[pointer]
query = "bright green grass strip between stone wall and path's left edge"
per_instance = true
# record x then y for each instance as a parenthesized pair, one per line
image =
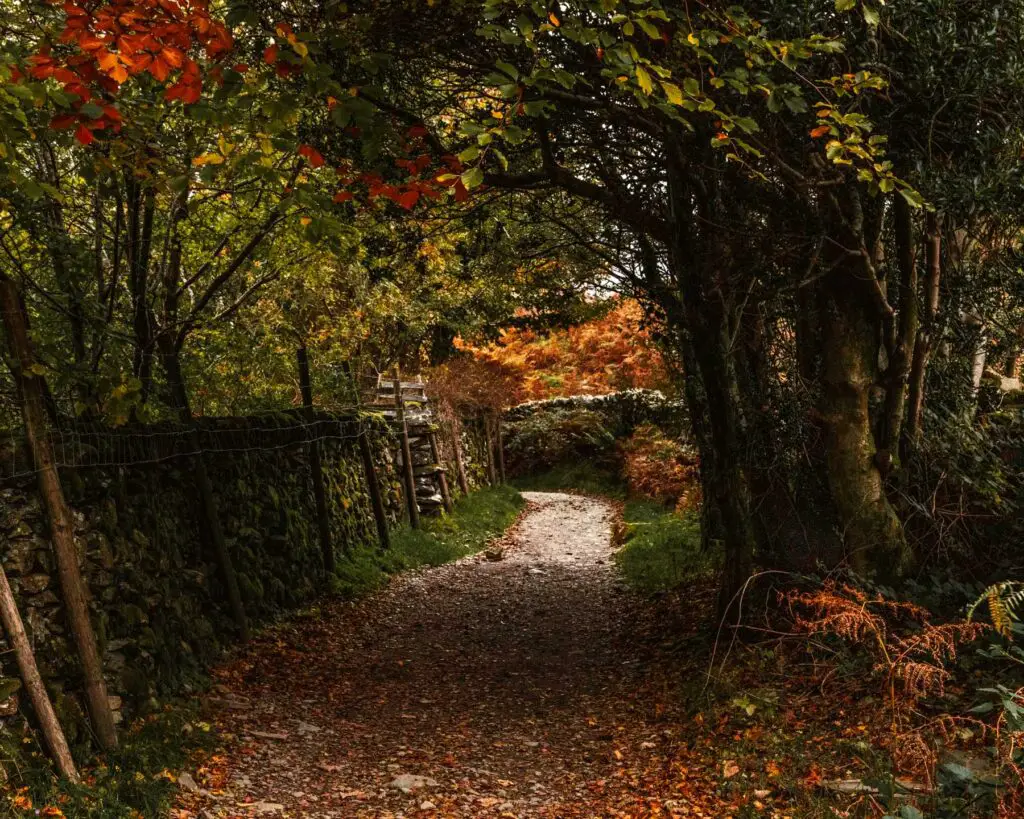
(478, 519)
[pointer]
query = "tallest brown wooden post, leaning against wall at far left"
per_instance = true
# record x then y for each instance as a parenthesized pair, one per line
(31, 387)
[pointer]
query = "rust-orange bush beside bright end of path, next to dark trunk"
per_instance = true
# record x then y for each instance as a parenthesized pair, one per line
(658, 467)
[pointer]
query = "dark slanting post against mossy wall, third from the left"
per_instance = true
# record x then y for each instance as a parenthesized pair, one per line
(210, 530)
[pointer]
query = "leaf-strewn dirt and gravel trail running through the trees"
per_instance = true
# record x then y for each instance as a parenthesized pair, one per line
(510, 687)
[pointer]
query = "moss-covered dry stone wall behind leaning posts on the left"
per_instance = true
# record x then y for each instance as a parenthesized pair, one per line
(158, 598)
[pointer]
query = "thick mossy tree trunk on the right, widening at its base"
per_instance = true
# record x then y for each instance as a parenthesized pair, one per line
(872, 533)
